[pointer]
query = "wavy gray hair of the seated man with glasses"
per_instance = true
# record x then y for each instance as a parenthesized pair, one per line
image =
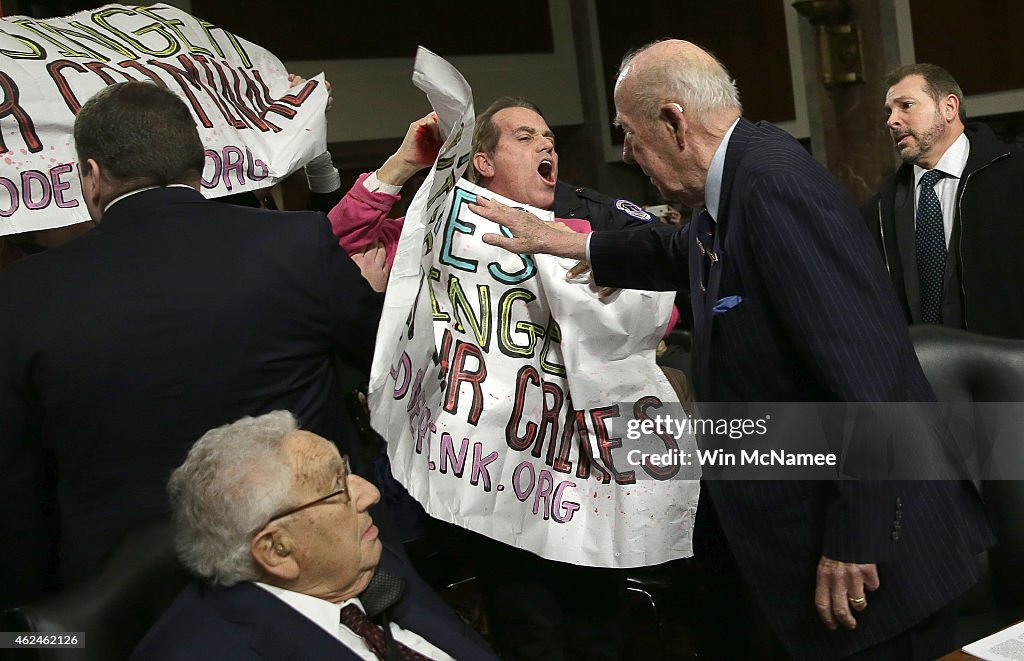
(235, 479)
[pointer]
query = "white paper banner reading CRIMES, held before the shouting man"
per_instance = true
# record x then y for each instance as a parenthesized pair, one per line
(507, 393)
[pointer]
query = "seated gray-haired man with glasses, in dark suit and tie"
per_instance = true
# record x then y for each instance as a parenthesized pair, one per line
(270, 517)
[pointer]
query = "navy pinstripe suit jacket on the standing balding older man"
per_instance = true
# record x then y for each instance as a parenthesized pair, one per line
(819, 322)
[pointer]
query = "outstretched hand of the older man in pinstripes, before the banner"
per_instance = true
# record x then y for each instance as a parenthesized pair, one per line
(530, 234)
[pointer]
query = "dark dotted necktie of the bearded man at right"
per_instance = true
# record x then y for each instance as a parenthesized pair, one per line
(931, 249)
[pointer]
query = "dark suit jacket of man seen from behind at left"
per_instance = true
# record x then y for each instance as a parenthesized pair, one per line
(121, 348)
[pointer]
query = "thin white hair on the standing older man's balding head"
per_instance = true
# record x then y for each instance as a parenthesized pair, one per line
(702, 85)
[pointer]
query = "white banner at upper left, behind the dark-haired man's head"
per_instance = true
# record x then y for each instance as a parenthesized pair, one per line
(255, 130)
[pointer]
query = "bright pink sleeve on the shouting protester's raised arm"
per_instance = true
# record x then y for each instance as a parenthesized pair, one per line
(361, 219)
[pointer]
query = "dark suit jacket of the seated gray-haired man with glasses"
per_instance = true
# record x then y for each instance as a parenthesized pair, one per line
(245, 622)
